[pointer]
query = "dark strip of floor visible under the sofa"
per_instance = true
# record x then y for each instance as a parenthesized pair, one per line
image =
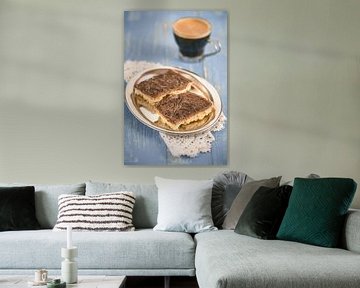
(158, 282)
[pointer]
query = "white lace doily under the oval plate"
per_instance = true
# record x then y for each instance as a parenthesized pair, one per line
(178, 146)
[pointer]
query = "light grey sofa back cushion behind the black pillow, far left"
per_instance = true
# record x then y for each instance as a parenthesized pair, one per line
(46, 200)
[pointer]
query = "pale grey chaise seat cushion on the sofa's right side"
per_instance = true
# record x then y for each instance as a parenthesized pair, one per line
(226, 259)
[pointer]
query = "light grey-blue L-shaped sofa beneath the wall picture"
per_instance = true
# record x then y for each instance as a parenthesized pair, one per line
(217, 257)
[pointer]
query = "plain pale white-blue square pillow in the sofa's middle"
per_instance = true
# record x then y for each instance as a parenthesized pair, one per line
(184, 205)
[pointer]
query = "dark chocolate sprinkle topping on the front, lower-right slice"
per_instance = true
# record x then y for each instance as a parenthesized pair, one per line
(176, 108)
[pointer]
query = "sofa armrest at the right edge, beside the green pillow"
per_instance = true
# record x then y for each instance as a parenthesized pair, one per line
(351, 234)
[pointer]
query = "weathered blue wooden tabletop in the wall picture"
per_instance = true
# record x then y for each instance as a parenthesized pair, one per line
(148, 37)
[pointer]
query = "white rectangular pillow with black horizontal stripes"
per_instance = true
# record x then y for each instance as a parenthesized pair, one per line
(106, 212)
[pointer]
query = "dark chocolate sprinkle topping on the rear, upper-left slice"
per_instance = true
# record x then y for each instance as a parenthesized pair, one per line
(162, 84)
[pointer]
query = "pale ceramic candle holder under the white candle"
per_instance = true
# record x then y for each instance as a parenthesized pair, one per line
(68, 265)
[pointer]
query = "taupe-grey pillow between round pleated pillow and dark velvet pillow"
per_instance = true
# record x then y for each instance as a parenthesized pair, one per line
(243, 198)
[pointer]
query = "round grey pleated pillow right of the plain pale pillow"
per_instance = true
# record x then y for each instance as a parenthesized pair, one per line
(226, 186)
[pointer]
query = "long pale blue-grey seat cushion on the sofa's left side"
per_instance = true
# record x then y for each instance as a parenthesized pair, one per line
(138, 250)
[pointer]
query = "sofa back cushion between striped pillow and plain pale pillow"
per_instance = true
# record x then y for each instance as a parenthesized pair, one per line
(146, 203)
